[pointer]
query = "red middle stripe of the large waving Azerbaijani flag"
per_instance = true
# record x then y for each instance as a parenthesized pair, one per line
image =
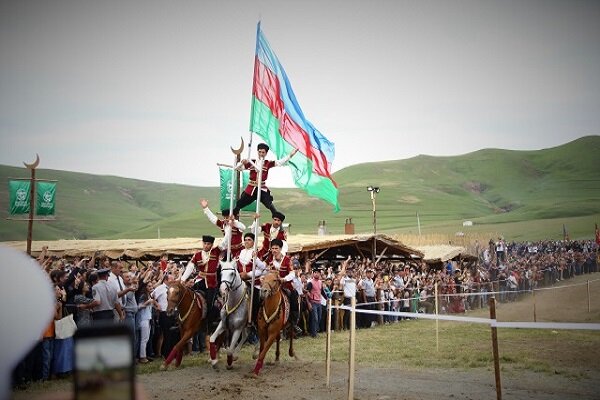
(266, 88)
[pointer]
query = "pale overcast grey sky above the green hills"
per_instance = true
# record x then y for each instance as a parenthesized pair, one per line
(159, 90)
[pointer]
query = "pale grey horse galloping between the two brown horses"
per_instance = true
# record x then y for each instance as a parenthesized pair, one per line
(234, 314)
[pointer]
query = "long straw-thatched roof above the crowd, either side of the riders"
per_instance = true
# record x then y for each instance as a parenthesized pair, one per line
(331, 245)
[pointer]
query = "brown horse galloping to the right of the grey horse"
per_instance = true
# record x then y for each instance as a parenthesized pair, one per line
(272, 318)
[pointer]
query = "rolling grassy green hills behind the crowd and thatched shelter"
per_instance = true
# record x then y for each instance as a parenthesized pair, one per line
(520, 194)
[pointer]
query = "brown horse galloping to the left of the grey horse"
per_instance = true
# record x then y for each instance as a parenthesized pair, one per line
(192, 311)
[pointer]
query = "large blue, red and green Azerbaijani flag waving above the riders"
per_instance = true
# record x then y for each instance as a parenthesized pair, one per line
(277, 118)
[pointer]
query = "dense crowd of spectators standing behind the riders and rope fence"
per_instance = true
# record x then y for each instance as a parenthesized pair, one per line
(407, 286)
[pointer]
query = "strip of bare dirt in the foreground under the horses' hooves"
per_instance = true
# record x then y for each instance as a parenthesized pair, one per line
(297, 380)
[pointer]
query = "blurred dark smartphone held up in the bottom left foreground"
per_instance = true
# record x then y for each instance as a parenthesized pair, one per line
(104, 363)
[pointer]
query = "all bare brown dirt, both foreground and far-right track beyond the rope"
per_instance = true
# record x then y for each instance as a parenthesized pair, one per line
(304, 380)
